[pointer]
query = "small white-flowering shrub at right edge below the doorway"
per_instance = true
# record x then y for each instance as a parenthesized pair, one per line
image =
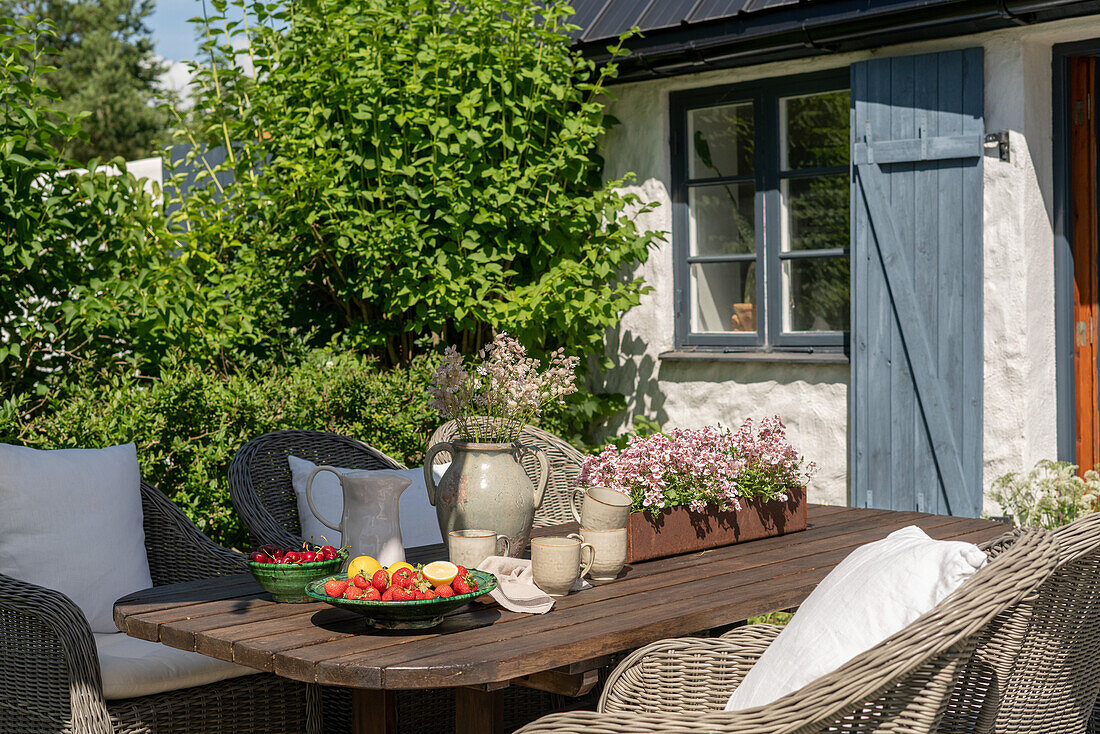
(1050, 496)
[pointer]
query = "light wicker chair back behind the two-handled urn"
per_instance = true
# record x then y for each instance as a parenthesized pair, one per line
(565, 467)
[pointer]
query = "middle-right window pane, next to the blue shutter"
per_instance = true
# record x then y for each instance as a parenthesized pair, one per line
(816, 213)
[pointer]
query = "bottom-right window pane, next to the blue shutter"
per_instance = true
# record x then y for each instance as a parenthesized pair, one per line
(816, 294)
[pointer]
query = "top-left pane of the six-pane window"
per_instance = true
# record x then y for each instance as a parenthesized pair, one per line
(721, 140)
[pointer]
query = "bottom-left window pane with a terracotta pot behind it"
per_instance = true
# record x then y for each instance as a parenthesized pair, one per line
(723, 297)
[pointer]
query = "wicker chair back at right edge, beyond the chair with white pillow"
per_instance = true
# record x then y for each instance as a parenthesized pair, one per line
(1039, 667)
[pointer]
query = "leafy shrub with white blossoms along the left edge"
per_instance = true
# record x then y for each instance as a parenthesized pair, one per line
(90, 278)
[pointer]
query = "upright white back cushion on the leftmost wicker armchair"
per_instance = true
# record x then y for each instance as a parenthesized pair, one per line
(71, 520)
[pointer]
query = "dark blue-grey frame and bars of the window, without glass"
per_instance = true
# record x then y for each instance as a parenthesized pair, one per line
(765, 95)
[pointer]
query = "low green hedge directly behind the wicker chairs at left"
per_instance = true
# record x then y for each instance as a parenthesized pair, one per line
(189, 424)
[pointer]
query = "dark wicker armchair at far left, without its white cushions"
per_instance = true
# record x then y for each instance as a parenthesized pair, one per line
(50, 678)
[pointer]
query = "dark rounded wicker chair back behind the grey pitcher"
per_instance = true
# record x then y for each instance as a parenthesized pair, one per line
(260, 478)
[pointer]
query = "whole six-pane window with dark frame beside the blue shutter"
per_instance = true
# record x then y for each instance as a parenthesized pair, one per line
(762, 214)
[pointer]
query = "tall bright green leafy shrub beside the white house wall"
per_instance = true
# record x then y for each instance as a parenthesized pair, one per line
(426, 176)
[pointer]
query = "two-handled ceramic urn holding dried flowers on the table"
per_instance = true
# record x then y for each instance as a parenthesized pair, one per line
(487, 488)
